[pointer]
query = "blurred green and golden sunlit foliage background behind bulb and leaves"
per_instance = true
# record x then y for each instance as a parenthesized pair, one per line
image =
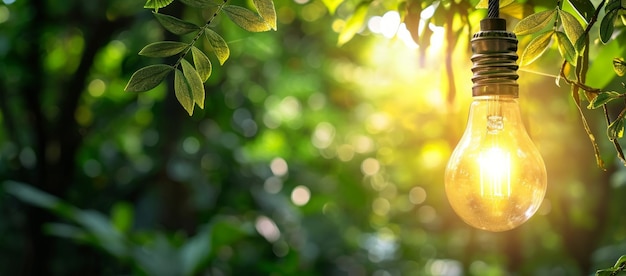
(307, 159)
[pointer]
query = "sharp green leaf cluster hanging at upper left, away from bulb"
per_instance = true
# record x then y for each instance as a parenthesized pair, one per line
(189, 77)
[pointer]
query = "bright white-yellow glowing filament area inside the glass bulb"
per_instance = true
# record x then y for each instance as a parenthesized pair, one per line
(495, 173)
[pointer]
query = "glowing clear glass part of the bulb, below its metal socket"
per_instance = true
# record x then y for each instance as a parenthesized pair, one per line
(496, 178)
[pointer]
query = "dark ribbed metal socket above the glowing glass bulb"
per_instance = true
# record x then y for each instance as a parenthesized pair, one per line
(494, 56)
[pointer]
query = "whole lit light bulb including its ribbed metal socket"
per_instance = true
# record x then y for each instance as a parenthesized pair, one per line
(495, 179)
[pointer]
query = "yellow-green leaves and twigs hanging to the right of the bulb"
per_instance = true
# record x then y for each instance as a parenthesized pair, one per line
(570, 33)
